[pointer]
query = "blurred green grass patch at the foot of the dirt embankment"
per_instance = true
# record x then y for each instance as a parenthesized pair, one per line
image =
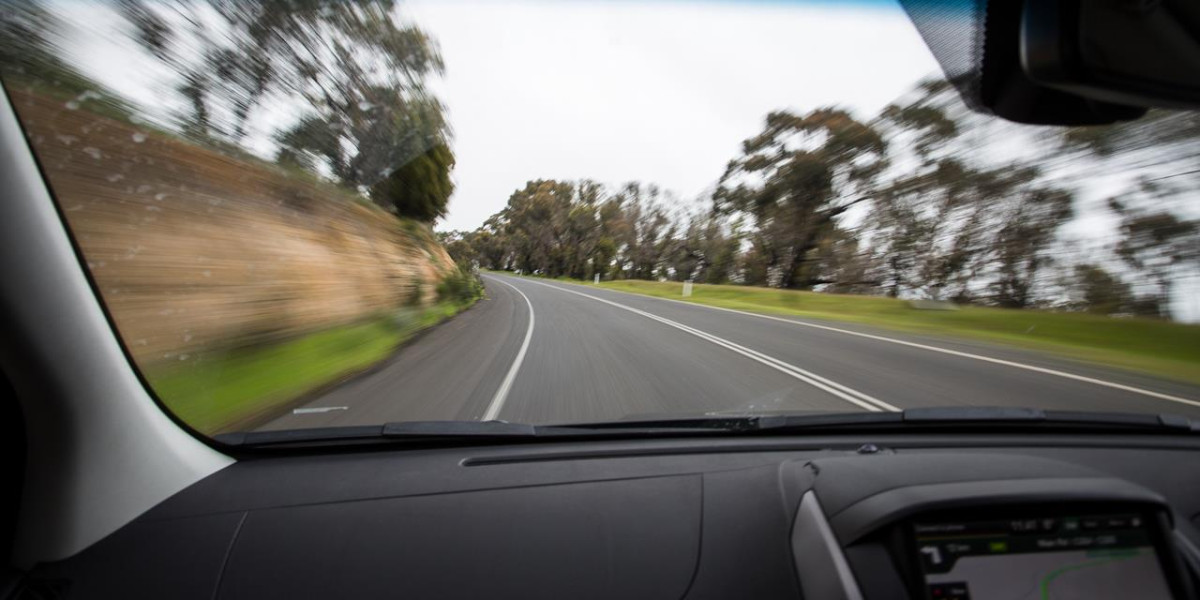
(223, 392)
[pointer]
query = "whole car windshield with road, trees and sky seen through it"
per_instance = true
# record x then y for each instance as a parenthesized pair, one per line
(335, 213)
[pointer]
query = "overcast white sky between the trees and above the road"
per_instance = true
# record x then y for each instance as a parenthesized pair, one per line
(659, 92)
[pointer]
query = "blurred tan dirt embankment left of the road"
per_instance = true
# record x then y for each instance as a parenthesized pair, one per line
(195, 250)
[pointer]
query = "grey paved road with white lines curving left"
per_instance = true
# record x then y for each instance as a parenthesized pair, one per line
(549, 352)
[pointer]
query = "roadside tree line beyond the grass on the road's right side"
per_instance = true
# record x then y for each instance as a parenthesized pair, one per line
(926, 200)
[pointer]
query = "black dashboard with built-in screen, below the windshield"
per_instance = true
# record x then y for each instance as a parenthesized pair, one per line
(813, 518)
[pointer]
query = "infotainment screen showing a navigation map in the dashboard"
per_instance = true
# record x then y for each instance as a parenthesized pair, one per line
(1099, 557)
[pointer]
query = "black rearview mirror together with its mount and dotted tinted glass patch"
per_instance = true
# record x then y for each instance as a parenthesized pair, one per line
(1066, 62)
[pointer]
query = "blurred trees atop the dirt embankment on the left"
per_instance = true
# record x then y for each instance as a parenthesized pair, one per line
(349, 68)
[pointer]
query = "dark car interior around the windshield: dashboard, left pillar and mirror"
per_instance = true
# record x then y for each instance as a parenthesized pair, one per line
(107, 495)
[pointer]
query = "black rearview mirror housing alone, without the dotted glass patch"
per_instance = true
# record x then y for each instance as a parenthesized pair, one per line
(1143, 53)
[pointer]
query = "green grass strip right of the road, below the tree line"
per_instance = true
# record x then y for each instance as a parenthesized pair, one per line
(1148, 346)
